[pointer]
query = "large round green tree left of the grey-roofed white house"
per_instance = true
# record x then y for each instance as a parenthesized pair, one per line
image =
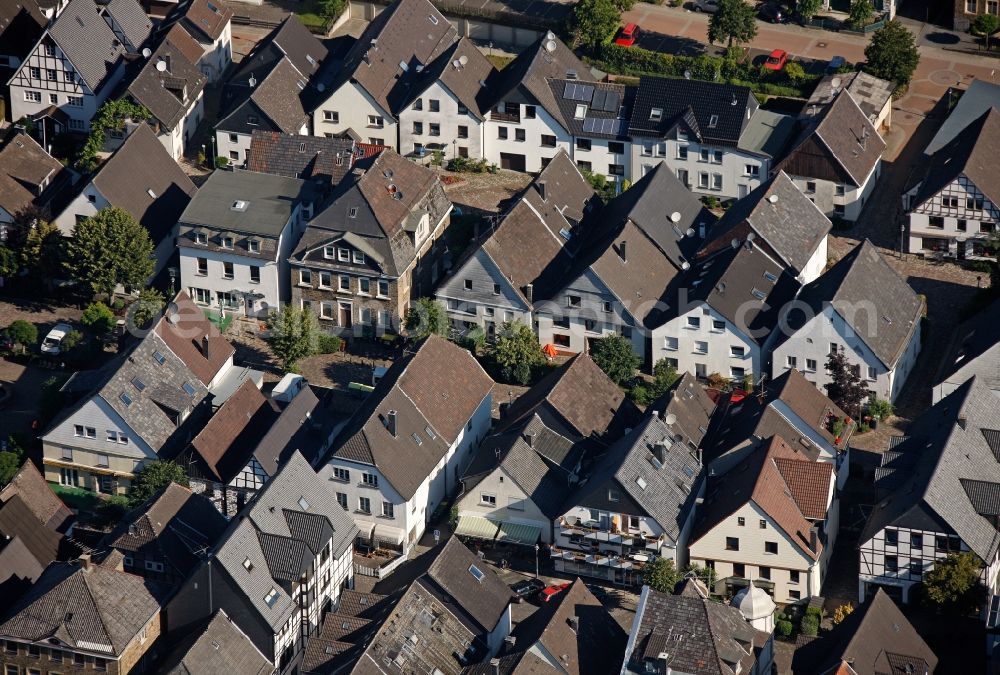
(108, 249)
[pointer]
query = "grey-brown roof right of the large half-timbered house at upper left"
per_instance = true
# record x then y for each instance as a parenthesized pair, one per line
(169, 94)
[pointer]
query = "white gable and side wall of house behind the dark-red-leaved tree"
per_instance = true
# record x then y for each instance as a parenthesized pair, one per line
(809, 347)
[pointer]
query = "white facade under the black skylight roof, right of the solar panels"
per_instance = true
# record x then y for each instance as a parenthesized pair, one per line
(724, 172)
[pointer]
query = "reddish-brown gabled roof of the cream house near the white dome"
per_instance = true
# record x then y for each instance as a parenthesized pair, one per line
(784, 491)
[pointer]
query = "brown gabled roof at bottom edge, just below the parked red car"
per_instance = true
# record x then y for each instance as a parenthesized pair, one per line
(593, 646)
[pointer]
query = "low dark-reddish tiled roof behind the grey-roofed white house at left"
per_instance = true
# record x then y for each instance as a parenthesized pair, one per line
(295, 156)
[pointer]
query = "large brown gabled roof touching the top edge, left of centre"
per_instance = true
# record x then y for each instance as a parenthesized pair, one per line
(409, 32)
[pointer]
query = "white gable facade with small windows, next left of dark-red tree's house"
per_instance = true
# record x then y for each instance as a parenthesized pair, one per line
(702, 342)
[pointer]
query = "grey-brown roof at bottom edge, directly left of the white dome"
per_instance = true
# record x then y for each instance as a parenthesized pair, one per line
(702, 636)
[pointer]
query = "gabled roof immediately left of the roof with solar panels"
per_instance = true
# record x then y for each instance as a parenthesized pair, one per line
(547, 58)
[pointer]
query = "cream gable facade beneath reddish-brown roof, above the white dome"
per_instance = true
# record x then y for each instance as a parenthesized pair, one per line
(795, 574)
